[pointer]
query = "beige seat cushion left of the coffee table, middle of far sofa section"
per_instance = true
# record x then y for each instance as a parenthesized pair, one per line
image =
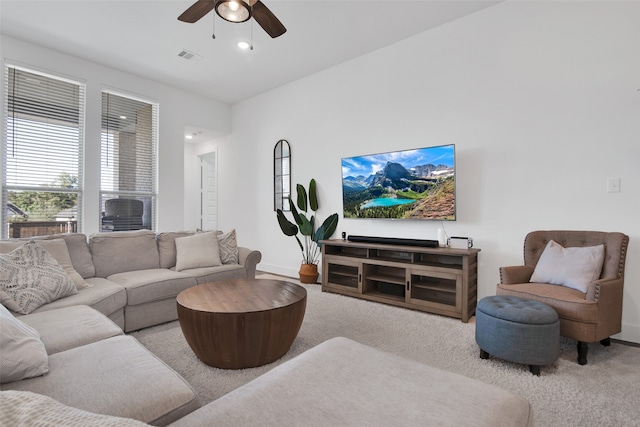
(143, 286)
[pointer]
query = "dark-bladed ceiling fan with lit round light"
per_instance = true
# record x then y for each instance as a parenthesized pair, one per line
(236, 11)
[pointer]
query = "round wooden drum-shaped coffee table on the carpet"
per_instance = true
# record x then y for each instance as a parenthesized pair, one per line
(241, 323)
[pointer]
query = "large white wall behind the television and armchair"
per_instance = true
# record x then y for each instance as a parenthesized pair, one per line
(541, 100)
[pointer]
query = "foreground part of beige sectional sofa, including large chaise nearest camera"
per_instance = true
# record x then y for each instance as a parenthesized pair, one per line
(98, 376)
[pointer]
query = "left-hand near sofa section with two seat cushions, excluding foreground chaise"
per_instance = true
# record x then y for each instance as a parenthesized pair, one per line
(78, 358)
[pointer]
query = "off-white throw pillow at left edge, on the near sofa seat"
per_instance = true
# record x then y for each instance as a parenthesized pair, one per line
(23, 354)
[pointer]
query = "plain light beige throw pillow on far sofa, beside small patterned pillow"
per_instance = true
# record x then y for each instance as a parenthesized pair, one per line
(199, 250)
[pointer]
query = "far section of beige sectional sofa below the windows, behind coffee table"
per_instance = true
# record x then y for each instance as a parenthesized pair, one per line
(133, 277)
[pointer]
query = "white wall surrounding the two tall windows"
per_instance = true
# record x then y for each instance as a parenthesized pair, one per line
(176, 109)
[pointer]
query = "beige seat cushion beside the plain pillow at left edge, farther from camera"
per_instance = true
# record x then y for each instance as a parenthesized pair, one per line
(70, 327)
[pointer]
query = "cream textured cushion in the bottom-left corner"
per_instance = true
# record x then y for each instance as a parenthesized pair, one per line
(24, 408)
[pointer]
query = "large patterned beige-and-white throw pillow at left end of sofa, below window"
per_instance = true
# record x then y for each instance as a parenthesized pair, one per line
(31, 277)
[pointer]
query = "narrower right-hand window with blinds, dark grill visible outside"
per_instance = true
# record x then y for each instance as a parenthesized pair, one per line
(128, 163)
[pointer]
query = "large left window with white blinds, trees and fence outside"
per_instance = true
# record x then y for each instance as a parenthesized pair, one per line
(42, 154)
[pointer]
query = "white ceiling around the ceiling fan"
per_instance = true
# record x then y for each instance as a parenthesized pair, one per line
(144, 37)
